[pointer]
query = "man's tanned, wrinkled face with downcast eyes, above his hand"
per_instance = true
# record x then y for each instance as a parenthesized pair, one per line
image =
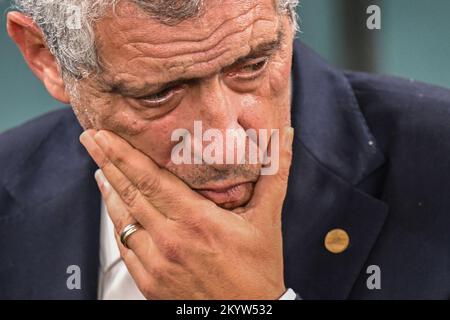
(228, 68)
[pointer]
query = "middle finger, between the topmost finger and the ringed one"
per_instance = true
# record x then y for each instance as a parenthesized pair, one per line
(137, 206)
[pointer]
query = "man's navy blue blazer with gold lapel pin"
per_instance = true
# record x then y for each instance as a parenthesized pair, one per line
(371, 156)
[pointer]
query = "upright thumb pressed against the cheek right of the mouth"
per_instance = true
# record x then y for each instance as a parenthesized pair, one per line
(270, 190)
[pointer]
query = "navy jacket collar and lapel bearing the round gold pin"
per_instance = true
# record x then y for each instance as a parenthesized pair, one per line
(334, 151)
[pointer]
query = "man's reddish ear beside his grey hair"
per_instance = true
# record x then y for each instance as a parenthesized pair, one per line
(29, 39)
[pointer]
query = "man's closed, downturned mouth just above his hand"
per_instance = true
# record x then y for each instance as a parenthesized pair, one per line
(228, 196)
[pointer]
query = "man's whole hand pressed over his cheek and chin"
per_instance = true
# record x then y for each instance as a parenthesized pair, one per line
(187, 246)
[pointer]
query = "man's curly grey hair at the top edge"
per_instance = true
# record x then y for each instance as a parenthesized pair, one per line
(74, 46)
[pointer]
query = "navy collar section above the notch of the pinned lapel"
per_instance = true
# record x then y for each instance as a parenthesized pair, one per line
(328, 119)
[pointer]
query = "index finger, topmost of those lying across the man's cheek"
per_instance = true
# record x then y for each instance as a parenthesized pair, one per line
(167, 193)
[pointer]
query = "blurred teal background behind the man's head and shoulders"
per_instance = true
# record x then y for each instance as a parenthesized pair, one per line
(414, 42)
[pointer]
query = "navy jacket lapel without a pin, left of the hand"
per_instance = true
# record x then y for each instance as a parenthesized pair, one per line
(57, 220)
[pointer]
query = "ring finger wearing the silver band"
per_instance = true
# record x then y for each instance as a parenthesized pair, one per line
(140, 241)
